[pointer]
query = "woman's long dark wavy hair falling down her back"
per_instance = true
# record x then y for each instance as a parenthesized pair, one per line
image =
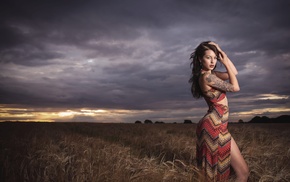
(196, 66)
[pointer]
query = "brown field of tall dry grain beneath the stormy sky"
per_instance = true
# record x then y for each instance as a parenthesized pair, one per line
(130, 152)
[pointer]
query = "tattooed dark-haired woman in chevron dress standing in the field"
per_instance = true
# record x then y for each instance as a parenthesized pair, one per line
(216, 150)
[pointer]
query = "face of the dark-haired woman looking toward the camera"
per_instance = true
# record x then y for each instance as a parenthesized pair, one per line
(209, 60)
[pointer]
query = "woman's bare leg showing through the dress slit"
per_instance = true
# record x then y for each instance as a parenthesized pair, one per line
(238, 162)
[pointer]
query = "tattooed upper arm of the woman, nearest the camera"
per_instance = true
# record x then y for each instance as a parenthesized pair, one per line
(218, 83)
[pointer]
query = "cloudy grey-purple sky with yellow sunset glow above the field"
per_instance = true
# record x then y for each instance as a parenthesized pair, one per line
(122, 61)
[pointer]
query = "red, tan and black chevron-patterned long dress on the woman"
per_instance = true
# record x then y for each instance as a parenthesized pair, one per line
(214, 140)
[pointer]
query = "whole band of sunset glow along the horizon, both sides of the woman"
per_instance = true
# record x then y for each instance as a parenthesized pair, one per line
(115, 115)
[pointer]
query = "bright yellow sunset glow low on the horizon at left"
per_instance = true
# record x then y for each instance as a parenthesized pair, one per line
(81, 115)
